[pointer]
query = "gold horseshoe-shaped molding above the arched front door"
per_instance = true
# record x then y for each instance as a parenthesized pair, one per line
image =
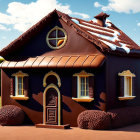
(51, 73)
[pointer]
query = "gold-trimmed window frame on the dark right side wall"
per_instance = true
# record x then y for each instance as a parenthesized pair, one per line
(127, 74)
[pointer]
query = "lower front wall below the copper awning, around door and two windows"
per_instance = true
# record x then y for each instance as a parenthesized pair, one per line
(70, 109)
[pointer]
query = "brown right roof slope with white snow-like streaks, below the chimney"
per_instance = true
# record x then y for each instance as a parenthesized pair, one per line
(109, 35)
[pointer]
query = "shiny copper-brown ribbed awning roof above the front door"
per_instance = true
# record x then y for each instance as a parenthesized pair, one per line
(56, 61)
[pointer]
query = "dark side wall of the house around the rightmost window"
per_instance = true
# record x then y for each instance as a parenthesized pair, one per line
(115, 65)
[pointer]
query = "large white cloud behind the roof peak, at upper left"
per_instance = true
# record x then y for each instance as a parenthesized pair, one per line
(22, 16)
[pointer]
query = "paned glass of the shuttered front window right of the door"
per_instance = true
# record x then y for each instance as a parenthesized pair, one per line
(84, 87)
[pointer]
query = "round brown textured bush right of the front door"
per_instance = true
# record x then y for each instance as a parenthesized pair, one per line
(94, 119)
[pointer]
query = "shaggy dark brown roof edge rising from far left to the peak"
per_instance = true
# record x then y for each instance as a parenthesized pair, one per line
(34, 30)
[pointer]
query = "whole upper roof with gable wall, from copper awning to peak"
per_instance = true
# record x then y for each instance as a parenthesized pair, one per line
(57, 18)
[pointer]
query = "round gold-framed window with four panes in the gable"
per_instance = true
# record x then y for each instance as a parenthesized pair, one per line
(56, 38)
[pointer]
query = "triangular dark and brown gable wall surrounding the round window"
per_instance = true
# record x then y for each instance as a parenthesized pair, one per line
(36, 44)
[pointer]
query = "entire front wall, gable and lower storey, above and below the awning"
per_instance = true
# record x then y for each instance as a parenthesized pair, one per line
(37, 46)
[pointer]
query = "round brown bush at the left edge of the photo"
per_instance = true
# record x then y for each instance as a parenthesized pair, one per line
(11, 115)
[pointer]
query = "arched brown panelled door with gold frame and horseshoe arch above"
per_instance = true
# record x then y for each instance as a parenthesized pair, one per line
(51, 99)
